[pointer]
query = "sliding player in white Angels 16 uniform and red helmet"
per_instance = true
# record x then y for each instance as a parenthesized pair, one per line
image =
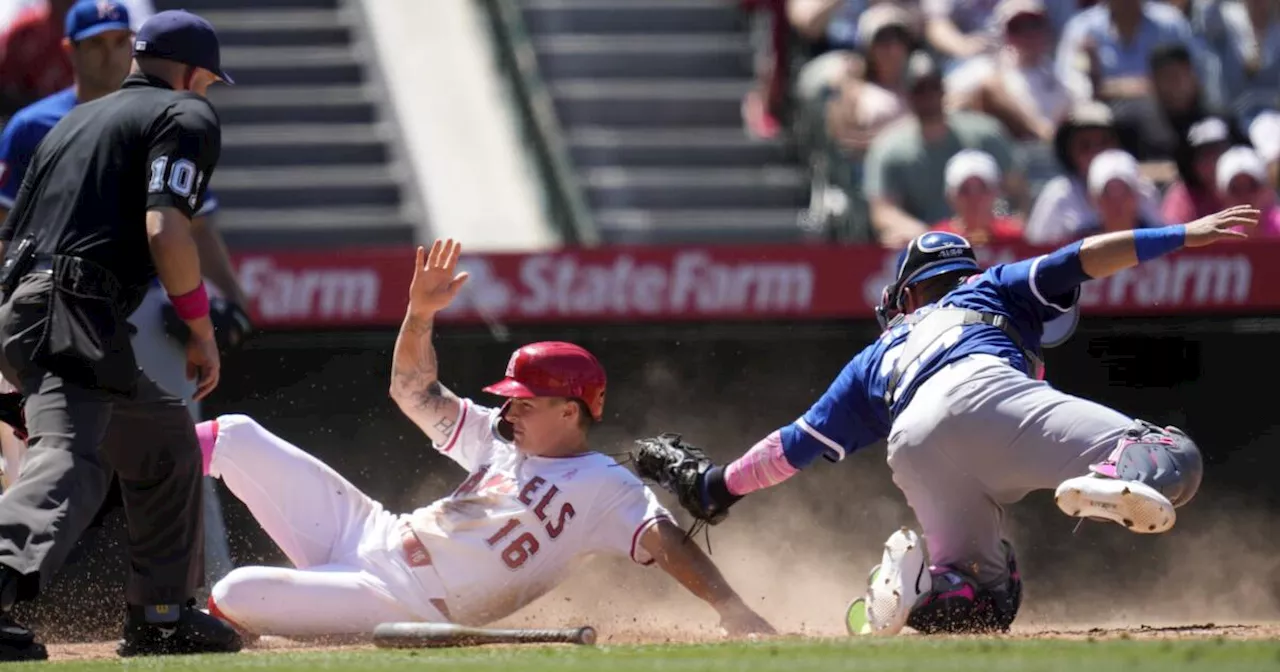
(536, 502)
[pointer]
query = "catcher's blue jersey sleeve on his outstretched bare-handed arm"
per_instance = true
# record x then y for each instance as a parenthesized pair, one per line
(1046, 286)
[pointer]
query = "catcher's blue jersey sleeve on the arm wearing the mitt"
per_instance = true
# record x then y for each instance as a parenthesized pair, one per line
(845, 419)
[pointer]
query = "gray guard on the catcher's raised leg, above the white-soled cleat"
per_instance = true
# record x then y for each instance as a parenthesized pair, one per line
(1165, 459)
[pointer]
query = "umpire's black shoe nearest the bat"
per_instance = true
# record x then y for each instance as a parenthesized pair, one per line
(194, 632)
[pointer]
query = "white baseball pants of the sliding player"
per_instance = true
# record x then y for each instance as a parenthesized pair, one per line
(350, 577)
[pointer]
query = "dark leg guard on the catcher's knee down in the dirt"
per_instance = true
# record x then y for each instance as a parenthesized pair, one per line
(957, 605)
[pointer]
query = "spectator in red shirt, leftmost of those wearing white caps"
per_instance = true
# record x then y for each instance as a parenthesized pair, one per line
(973, 185)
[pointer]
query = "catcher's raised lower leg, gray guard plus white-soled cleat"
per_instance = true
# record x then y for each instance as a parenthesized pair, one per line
(1151, 472)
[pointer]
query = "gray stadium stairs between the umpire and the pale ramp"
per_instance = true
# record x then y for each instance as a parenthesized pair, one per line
(307, 153)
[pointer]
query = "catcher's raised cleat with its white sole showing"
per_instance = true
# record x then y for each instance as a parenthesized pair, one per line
(1133, 505)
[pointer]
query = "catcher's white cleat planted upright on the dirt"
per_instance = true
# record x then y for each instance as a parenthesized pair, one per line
(894, 589)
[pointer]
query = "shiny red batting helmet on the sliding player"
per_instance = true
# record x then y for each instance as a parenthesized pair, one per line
(555, 369)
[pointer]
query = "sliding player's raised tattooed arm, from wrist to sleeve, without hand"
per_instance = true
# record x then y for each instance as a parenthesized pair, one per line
(415, 387)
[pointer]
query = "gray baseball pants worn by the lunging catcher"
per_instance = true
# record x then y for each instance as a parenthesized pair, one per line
(979, 436)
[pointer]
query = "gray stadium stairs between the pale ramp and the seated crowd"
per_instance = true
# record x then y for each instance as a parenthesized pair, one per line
(648, 94)
